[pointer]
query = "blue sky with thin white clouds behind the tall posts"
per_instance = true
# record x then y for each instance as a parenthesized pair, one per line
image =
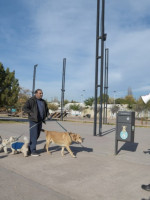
(44, 32)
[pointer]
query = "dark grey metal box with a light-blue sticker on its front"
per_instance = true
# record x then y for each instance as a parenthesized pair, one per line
(125, 126)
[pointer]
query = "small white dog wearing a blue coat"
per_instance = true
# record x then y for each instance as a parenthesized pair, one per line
(20, 147)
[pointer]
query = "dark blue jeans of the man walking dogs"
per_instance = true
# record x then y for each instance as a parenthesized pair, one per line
(35, 128)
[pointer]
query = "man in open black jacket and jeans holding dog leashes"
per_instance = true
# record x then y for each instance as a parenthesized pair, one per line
(37, 111)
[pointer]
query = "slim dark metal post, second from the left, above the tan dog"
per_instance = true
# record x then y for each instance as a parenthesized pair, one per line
(63, 88)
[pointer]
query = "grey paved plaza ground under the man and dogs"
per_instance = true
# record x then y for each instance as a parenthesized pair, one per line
(96, 173)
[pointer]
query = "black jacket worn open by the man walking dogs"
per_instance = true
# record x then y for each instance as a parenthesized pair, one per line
(31, 108)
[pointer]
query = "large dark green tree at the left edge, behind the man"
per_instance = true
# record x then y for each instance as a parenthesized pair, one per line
(9, 87)
